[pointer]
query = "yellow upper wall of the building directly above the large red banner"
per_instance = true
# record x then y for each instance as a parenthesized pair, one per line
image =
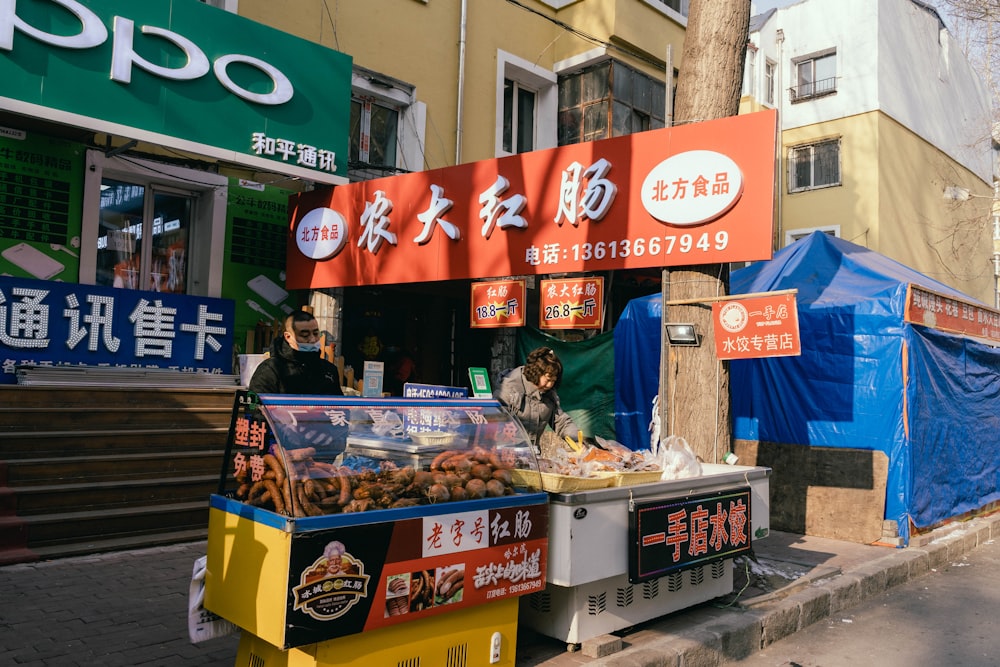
(418, 43)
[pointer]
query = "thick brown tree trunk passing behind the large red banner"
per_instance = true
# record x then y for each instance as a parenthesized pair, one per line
(695, 400)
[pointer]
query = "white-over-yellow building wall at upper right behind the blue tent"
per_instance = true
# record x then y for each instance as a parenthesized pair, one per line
(913, 119)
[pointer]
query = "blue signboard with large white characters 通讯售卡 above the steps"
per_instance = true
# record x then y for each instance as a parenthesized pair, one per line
(51, 323)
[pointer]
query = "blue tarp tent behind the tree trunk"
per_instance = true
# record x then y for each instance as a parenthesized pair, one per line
(866, 379)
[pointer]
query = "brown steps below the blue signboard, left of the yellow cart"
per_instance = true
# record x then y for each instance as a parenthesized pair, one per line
(93, 469)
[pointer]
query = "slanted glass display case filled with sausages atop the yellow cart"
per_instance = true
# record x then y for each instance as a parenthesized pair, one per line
(304, 456)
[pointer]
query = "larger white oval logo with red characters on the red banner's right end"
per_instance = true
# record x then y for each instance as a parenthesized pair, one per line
(692, 188)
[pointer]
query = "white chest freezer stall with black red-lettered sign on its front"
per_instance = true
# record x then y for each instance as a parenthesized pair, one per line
(631, 552)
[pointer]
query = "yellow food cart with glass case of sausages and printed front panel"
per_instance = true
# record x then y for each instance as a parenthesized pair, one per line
(355, 531)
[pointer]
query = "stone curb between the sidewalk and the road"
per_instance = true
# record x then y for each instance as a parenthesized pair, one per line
(718, 637)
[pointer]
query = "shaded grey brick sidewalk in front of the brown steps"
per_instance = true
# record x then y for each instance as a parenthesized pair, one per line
(117, 609)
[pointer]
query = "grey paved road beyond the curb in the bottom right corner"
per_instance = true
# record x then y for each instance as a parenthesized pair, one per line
(947, 617)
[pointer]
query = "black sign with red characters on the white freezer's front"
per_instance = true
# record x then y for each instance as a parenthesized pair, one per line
(672, 534)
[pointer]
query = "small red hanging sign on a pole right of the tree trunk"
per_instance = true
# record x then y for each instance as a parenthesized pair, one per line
(765, 326)
